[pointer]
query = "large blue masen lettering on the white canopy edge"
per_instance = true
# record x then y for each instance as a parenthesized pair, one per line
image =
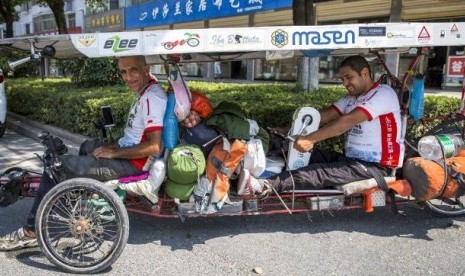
(323, 38)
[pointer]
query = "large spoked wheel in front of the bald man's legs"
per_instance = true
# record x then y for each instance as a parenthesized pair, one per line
(82, 226)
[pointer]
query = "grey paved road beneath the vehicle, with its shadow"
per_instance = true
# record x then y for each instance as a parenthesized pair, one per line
(342, 243)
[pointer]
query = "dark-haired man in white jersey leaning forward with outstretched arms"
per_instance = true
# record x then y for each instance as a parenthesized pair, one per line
(370, 115)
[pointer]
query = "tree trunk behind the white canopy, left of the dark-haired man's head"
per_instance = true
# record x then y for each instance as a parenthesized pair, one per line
(307, 78)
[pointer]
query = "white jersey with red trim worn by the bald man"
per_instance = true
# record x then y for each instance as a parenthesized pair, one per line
(146, 115)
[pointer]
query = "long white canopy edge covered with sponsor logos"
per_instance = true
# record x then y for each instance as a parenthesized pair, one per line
(220, 40)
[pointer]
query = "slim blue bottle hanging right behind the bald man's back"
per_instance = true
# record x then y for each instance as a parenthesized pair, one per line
(170, 124)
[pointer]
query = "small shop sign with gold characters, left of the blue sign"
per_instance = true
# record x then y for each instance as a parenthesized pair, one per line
(110, 21)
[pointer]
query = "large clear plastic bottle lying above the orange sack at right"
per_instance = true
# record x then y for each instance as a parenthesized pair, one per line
(432, 147)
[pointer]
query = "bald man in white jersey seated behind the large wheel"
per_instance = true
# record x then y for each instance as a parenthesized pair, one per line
(142, 138)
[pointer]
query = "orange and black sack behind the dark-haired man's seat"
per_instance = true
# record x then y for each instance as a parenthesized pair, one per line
(427, 177)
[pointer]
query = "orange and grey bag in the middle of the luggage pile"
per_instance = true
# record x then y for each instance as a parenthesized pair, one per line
(221, 164)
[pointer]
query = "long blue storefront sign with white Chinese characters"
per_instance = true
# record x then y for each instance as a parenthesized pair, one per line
(164, 12)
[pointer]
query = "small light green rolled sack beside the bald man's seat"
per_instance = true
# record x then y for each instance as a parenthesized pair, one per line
(186, 164)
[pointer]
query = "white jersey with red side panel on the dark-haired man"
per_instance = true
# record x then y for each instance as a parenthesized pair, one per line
(379, 138)
